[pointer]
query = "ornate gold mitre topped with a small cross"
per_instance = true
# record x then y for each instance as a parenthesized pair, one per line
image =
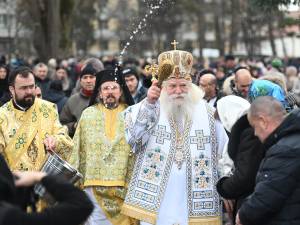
(174, 64)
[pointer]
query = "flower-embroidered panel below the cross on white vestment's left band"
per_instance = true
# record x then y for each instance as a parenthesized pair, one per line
(154, 165)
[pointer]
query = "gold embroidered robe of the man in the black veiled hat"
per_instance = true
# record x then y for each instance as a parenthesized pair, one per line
(104, 158)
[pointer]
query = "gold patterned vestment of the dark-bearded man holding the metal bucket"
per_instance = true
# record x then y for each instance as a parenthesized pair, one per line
(22, 134)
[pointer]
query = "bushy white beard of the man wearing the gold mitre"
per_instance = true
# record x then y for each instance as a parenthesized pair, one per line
(180, 106)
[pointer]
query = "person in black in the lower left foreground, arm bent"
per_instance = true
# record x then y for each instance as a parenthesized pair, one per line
(72, 207)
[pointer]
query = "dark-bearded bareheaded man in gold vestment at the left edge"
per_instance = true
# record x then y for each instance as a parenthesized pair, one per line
(30, 125)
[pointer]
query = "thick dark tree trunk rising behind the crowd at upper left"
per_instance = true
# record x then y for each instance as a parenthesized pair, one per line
(44, 19)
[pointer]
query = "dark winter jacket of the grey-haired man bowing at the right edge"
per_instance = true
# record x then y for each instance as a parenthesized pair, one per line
(276, 198)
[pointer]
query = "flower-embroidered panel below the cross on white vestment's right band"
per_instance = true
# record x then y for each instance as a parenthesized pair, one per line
(201, 166)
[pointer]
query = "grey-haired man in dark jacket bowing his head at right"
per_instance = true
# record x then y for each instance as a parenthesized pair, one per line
(276, 198)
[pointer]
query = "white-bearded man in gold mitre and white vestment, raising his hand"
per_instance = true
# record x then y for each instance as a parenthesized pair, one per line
(177, 143)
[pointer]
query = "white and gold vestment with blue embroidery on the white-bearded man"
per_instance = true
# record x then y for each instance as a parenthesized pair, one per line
(164, 190)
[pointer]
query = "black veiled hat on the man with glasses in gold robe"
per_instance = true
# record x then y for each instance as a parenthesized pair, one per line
(111, 75)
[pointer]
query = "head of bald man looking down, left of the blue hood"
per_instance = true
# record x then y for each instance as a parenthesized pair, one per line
(242, 80)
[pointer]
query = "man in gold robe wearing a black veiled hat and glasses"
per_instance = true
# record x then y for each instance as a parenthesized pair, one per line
(101, 152)
